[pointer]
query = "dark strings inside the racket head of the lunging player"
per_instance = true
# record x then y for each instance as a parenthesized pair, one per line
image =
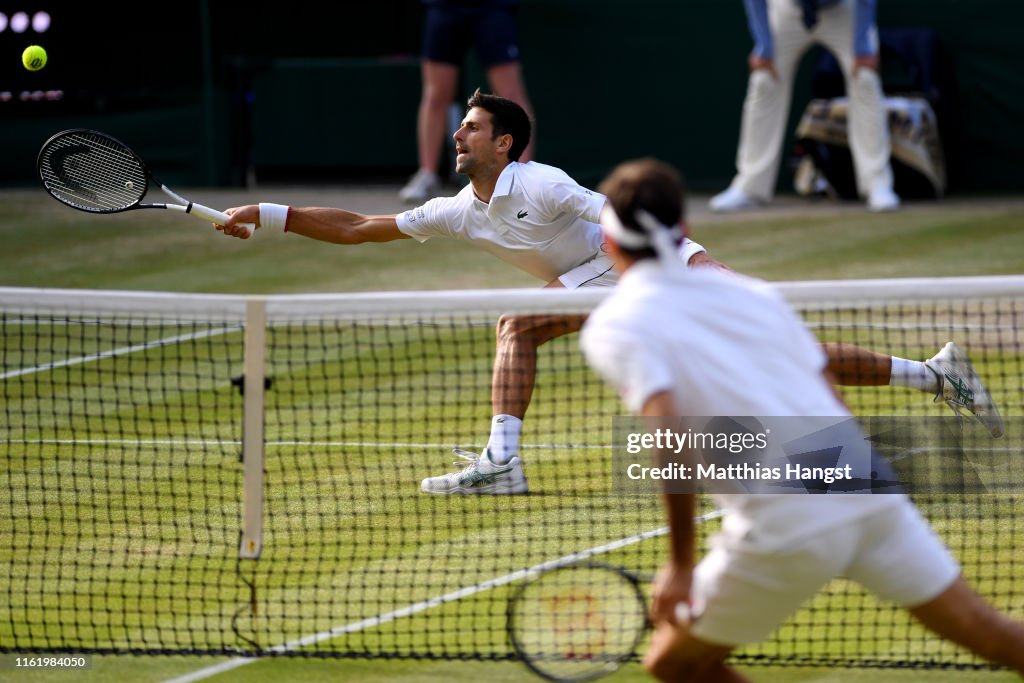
(93, 174)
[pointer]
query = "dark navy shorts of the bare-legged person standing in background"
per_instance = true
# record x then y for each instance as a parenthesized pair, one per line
(451, 29)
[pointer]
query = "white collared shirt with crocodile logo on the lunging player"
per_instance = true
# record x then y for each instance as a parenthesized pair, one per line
(539, 220)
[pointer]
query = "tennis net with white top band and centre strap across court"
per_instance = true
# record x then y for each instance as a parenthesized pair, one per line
(241, 476)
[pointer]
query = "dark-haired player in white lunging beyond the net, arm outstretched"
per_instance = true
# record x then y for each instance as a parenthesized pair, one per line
(540, 221)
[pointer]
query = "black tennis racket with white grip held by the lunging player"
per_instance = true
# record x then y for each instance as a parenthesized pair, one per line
(92, 172)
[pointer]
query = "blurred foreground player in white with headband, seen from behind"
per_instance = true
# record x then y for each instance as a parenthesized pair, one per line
(675, 343)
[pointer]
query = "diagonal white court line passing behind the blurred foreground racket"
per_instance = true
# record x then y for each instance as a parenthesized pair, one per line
(434, 603)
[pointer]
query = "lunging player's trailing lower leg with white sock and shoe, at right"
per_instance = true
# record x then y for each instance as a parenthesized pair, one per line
(949, 375)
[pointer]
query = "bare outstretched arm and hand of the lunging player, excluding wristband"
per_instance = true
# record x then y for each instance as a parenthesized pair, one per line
(327, 225)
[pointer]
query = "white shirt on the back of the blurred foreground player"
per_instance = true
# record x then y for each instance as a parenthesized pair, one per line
(723, 346)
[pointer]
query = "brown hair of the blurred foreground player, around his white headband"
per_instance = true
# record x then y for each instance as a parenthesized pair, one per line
(649, 185)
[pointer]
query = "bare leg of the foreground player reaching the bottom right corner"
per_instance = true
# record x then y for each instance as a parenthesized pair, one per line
(962, 616)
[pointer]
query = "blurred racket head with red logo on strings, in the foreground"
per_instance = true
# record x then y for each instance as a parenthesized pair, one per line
(579, 622)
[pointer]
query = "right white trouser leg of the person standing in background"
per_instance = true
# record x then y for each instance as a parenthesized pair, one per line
(869, 126)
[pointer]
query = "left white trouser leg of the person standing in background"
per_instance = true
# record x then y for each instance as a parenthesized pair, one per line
(766, 108)
